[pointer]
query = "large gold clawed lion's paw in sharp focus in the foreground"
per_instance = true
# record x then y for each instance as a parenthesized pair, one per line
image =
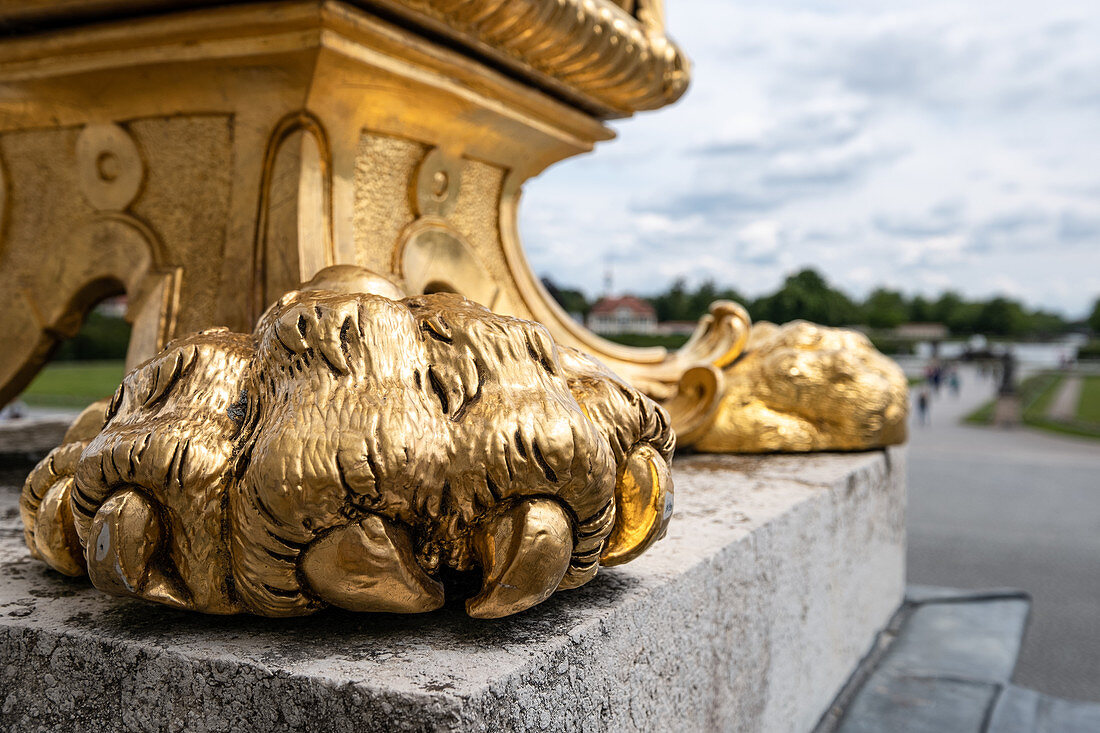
(350, 452)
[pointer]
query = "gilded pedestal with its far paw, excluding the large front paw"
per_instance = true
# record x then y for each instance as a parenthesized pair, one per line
(205, 160)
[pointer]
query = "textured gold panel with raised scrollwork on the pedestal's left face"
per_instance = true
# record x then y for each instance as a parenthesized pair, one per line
(87, 217)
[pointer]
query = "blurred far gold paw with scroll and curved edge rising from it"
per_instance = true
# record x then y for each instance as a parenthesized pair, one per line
(727, 390)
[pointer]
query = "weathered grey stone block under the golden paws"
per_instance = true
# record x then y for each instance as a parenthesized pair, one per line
(776, 576)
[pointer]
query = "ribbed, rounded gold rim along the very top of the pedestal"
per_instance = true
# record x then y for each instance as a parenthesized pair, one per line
(612, 58)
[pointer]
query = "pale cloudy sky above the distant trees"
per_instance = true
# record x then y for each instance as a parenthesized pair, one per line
(922, 146)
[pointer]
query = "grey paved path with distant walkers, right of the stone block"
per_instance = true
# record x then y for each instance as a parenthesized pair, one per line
(995, 508)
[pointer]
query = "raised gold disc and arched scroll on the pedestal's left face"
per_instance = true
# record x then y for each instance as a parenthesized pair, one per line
(108, 251)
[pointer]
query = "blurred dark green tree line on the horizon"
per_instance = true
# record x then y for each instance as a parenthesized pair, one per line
(809, 296)
